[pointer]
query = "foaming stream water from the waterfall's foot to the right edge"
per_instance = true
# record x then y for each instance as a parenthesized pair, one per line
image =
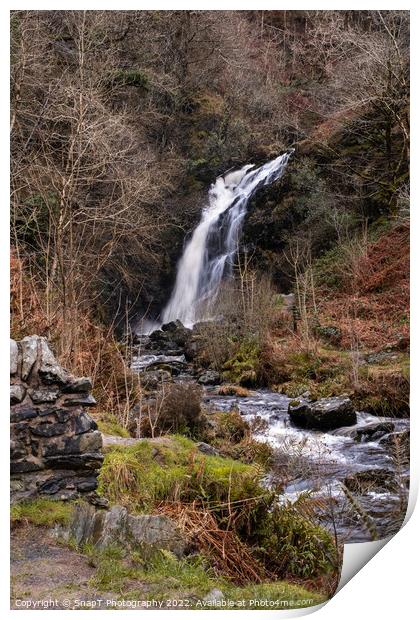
(314, 463)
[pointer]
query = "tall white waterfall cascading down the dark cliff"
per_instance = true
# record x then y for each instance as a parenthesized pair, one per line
(210, 252)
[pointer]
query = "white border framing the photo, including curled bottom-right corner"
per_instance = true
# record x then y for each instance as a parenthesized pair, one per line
(387, 585)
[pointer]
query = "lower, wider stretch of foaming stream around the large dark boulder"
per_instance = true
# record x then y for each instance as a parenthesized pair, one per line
(319, 462)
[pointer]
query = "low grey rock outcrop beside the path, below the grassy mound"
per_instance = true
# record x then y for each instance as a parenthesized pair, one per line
(116, 526)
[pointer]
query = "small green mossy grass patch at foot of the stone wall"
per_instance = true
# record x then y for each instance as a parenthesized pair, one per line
(42, 511)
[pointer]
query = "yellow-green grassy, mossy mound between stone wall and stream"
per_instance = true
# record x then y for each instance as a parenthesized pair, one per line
(173, 469)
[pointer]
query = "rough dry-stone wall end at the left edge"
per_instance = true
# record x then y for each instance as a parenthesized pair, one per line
(55, 445)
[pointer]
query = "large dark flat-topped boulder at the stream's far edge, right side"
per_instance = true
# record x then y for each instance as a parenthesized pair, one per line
(324, 415)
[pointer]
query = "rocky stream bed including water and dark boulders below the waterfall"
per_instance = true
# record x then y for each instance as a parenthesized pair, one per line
(350, 465)
